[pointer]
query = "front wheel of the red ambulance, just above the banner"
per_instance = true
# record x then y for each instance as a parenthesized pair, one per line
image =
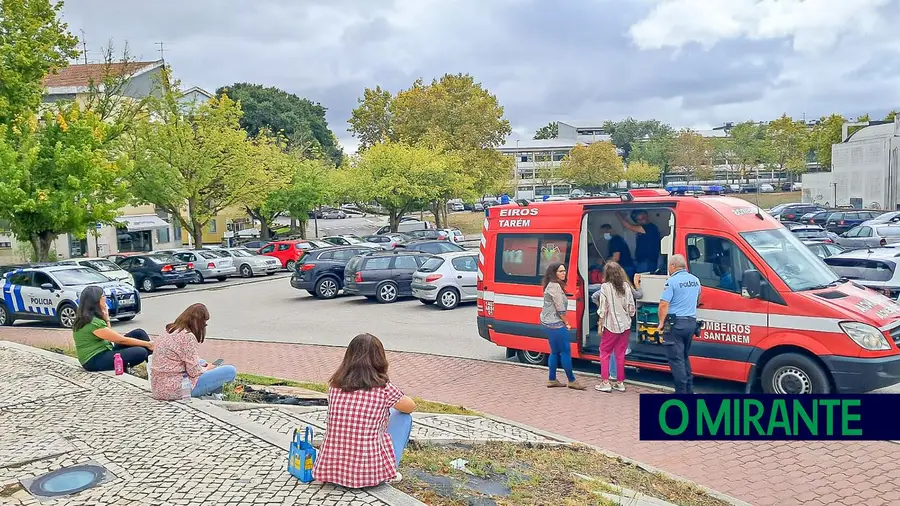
(793, 373)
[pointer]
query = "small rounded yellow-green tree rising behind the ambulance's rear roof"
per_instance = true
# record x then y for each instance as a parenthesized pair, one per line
(593, 166)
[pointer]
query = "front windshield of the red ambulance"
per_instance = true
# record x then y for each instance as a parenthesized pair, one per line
(795, 264)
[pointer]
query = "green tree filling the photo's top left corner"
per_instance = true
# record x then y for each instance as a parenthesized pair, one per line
(33, 43)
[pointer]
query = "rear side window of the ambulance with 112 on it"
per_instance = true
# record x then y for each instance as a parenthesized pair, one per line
(523, 258)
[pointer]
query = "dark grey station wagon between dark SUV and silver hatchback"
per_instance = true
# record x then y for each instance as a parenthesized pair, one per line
(384, 275)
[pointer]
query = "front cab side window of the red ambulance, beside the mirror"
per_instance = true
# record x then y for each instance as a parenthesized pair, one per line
(717, 262)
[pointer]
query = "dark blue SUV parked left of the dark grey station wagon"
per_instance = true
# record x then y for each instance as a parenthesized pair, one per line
(321, 271)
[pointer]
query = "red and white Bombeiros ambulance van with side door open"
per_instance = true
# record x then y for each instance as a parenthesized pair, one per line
(775, 317)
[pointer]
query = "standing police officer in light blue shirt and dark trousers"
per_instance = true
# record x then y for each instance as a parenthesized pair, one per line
(678, 321)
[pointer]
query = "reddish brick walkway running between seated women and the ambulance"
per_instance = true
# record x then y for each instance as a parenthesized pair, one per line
(762, 473)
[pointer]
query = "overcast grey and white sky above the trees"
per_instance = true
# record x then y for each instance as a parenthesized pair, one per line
(695, 63)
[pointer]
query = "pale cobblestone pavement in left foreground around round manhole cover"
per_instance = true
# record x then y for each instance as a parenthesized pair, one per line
(56, 415)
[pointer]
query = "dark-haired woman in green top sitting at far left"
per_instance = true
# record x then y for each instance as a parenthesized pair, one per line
(96, 343)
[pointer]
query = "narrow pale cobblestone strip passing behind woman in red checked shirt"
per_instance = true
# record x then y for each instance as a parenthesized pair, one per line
(427, 427)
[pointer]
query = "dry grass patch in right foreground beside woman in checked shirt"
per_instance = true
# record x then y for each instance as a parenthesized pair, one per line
(538, 475)
